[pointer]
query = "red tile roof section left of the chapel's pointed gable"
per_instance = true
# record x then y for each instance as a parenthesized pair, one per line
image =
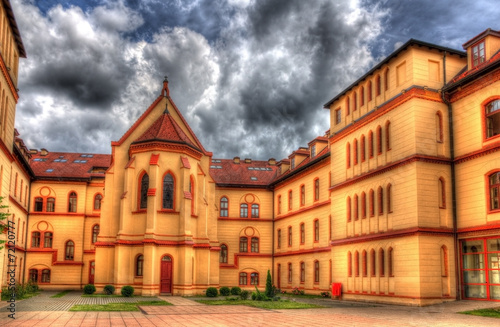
(65, 165)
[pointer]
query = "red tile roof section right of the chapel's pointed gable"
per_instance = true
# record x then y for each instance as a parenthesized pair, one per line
(257, 173)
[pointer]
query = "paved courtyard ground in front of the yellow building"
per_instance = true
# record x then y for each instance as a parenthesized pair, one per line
(186, 312)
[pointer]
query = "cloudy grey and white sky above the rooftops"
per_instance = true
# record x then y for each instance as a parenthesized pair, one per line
(250, 77)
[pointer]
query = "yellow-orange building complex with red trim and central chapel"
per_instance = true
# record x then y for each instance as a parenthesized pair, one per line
(398, 201)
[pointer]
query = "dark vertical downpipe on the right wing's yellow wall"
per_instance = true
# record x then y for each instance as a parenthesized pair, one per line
(453, 183)
